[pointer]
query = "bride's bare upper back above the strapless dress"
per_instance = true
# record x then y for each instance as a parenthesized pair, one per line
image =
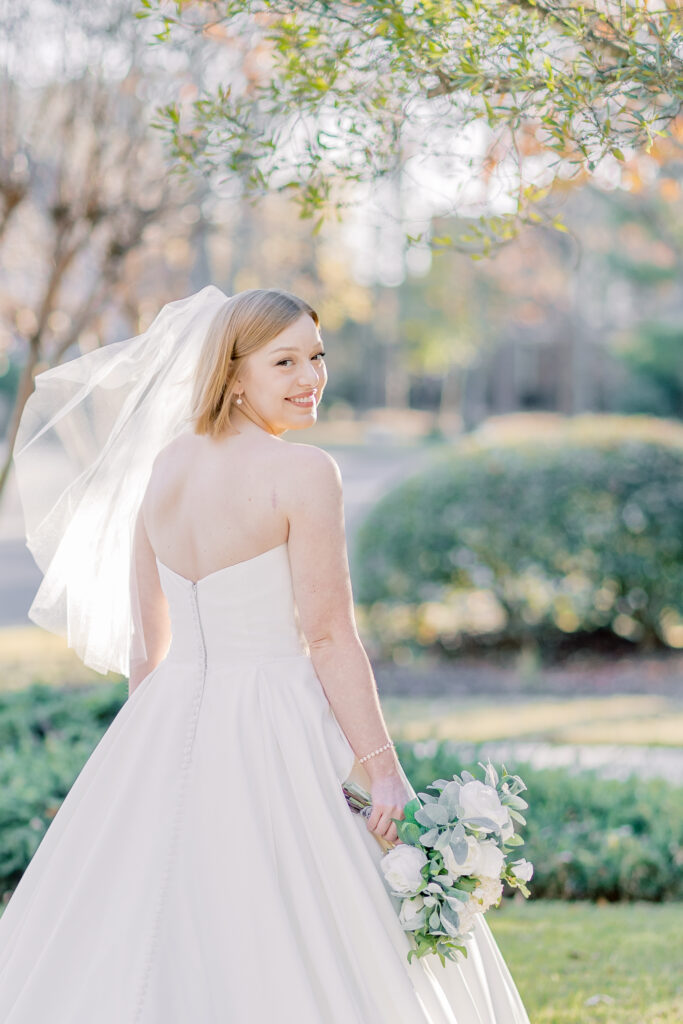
(211, 503)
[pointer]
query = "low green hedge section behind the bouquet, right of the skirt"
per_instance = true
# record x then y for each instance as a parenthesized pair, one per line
(588, 838)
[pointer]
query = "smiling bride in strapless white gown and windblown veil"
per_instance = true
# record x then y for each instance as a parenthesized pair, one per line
(205, 867)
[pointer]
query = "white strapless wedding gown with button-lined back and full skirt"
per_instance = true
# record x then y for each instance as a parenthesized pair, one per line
(205, 868)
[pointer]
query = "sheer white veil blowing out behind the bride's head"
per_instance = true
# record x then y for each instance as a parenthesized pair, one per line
(83, 455)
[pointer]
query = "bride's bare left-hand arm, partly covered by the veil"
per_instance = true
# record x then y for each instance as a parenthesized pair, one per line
(152, 623)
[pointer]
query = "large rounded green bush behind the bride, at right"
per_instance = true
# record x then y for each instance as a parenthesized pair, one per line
(576, 533)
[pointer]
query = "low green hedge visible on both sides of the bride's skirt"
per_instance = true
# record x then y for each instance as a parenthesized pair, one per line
(588, 838)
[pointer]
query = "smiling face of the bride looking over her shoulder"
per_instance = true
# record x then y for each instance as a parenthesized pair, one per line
(283, 382)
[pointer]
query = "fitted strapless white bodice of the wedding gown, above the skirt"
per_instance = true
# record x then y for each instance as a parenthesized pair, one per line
(243, 611)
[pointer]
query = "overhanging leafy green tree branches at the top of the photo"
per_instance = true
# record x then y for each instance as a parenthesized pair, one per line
(313, 97)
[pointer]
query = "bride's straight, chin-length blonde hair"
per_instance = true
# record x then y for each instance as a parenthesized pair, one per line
(246, 323)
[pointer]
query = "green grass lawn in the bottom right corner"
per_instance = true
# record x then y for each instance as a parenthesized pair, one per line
(580, 964)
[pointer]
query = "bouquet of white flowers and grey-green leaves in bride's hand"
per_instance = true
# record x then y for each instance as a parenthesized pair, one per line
(454, 857)
